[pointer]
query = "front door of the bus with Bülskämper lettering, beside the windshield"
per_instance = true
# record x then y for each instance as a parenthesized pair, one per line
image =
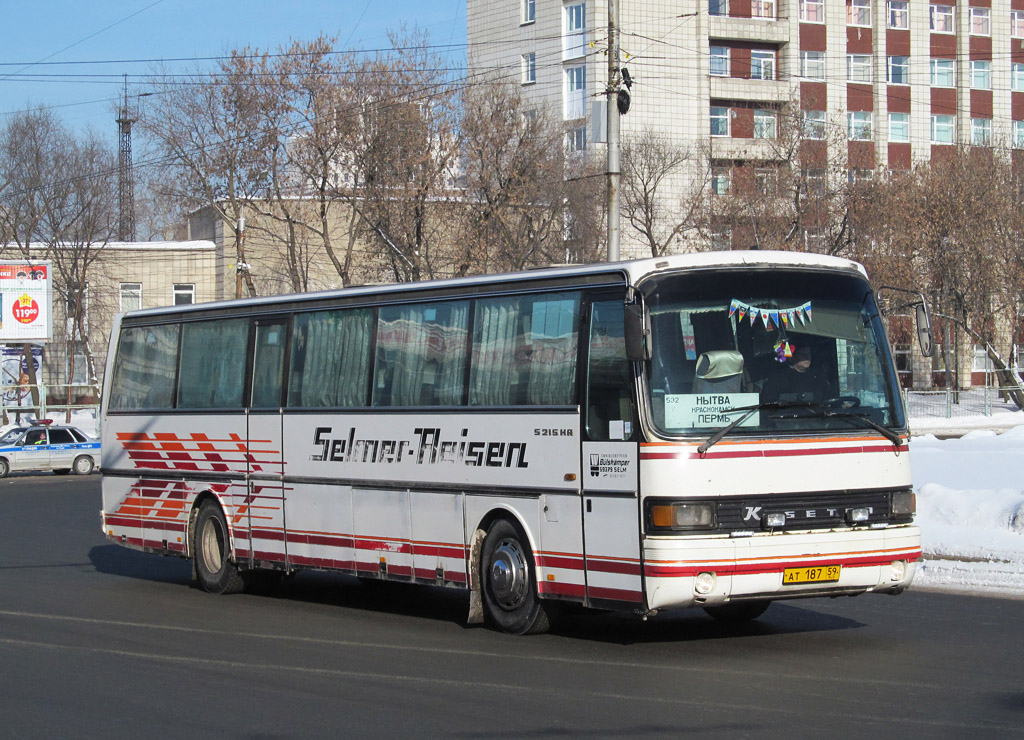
(611, 466)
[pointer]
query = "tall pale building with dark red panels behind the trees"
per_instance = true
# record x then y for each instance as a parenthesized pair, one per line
(883, 84)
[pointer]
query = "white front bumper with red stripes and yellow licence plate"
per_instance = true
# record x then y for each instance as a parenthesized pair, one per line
(709, 572)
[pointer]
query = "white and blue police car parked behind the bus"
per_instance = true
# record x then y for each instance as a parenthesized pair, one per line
(61, 449)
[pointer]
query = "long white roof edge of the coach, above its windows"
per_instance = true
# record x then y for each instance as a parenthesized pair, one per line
(631, 272)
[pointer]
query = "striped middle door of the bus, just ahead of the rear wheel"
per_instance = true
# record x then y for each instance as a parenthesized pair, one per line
(262, 512)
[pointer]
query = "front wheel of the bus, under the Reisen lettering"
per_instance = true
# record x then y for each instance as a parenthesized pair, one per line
(510, 599)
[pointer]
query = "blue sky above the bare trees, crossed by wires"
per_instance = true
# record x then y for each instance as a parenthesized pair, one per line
(71, 56)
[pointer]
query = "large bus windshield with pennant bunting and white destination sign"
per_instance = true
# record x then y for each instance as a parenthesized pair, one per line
(778, 352)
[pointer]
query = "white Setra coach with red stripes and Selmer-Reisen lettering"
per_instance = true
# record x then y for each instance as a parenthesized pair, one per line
(627, 437)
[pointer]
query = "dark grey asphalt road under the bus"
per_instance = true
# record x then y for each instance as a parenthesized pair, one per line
(102, 642)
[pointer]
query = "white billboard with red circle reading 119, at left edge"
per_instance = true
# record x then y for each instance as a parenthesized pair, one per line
(26, 302)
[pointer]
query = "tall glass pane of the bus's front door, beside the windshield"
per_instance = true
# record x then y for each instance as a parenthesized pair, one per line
(610, 401)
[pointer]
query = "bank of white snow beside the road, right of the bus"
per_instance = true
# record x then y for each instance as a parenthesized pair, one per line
(971, 511)
